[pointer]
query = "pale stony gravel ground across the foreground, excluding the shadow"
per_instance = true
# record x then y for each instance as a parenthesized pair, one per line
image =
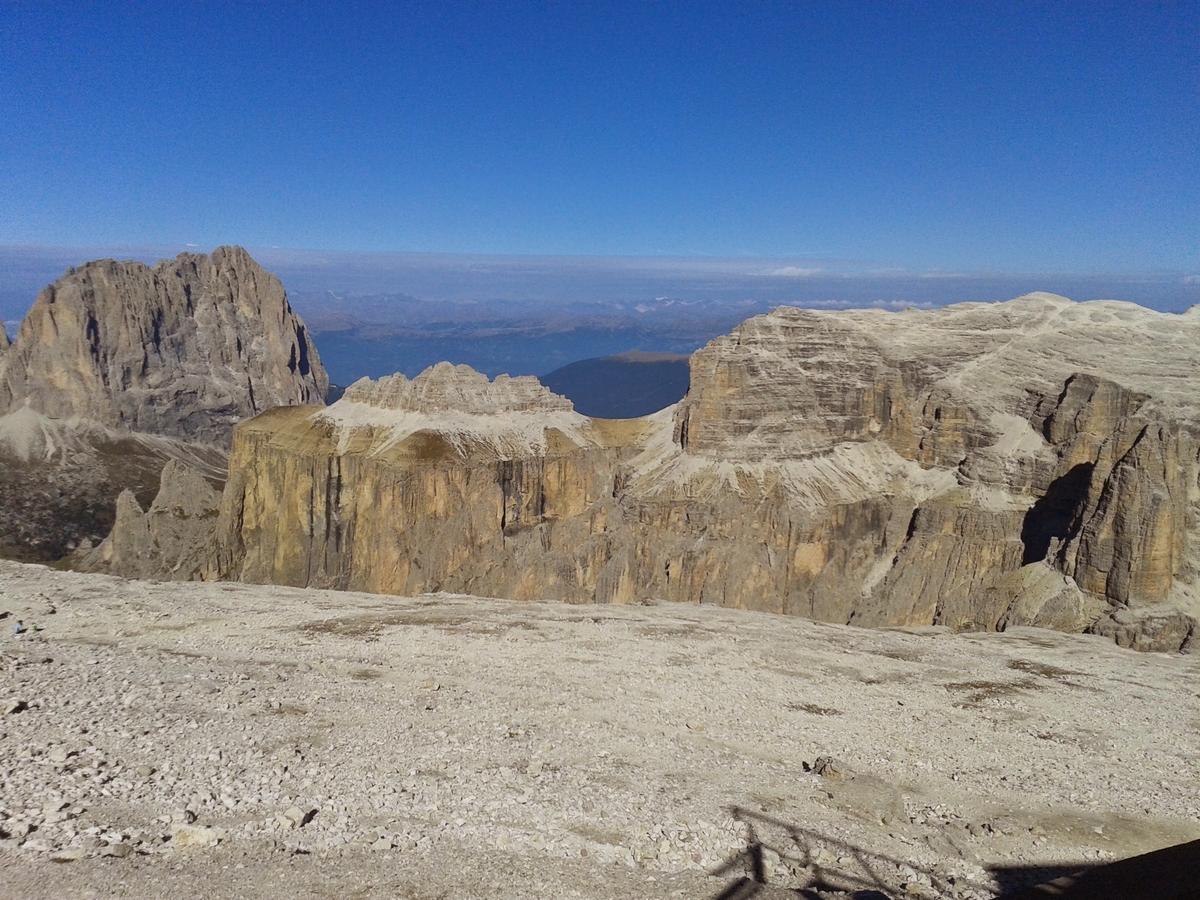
(457, 747)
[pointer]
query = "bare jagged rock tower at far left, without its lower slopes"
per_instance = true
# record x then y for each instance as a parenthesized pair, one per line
(185, 349)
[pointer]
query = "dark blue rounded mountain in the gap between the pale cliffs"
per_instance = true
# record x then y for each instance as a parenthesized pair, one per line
(622, 387)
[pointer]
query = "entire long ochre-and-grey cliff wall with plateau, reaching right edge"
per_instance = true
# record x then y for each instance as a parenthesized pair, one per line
(947, 467)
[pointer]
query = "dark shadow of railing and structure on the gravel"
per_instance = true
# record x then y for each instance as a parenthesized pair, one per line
(1168, 874)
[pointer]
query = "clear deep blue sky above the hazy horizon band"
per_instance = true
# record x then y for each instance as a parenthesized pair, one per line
(963, 136)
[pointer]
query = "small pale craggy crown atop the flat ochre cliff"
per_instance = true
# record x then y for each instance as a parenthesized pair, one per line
(447, 388)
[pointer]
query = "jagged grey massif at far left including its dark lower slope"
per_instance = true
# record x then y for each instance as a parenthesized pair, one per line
(119, 369)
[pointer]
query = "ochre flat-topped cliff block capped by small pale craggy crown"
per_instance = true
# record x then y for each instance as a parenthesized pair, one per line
(443, 483)
